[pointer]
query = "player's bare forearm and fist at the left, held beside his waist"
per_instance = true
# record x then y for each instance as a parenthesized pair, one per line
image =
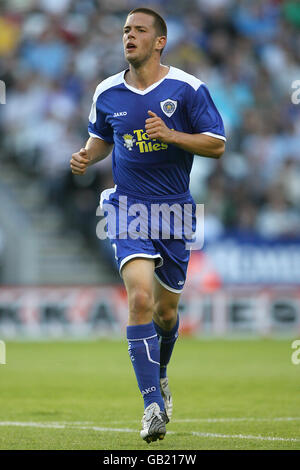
(94, 151)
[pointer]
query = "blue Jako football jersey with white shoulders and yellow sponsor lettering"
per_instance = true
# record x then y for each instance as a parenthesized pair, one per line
(149, 167)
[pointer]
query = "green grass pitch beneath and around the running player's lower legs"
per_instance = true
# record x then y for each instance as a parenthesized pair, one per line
(228, 394)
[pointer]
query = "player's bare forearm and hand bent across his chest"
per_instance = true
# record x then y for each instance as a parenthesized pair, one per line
(197, 144)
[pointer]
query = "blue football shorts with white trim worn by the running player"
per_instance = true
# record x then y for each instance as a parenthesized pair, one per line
(143, 227)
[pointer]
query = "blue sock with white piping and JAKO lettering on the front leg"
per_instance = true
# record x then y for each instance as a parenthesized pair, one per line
(143, 348)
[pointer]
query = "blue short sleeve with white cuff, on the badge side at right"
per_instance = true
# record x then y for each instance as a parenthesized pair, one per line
(205, 117)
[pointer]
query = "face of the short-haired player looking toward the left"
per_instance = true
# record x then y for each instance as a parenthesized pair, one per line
(139, 38)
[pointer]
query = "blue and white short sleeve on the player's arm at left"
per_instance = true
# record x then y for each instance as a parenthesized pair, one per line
(98, 126)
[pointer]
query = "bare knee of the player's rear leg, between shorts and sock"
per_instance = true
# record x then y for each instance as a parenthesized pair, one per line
(165, 304)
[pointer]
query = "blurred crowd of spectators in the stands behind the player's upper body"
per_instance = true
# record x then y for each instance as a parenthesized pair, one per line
(53, 53)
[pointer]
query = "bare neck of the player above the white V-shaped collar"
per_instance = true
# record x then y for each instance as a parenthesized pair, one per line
(144, 76)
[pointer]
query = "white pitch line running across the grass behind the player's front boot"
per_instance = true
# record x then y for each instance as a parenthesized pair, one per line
(127, 430)
